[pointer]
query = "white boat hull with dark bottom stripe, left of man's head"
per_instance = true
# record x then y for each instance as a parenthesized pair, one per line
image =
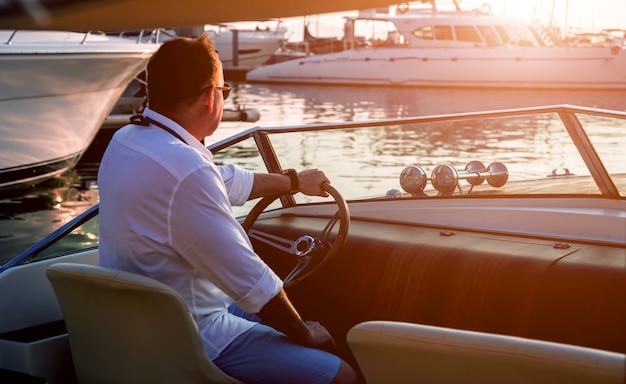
(53, 100)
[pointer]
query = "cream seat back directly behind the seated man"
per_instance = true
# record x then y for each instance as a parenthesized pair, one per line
(128, 328)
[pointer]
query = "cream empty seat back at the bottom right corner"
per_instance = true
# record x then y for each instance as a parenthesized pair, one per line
(393, 352)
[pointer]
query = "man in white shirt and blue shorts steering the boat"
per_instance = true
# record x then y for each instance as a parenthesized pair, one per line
(165, 212)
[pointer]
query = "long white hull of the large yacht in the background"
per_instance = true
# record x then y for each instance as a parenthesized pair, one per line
(488, 67)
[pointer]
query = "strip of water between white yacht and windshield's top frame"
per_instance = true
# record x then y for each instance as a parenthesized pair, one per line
(297, 104)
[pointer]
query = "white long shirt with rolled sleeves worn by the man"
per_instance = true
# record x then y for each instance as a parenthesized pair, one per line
(165, 212)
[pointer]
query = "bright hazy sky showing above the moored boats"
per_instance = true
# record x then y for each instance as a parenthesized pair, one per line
(575, 14)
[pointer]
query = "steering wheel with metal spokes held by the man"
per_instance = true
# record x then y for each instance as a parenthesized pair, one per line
(307, 247)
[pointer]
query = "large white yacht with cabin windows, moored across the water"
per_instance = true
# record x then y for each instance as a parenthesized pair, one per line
(433, 48)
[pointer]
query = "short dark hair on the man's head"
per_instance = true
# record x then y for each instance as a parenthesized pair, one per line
(179, 71)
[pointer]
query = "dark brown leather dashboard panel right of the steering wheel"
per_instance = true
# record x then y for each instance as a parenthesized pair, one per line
(473, 281)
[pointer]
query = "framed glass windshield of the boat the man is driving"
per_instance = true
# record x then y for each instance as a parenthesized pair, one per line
(534, 151)
